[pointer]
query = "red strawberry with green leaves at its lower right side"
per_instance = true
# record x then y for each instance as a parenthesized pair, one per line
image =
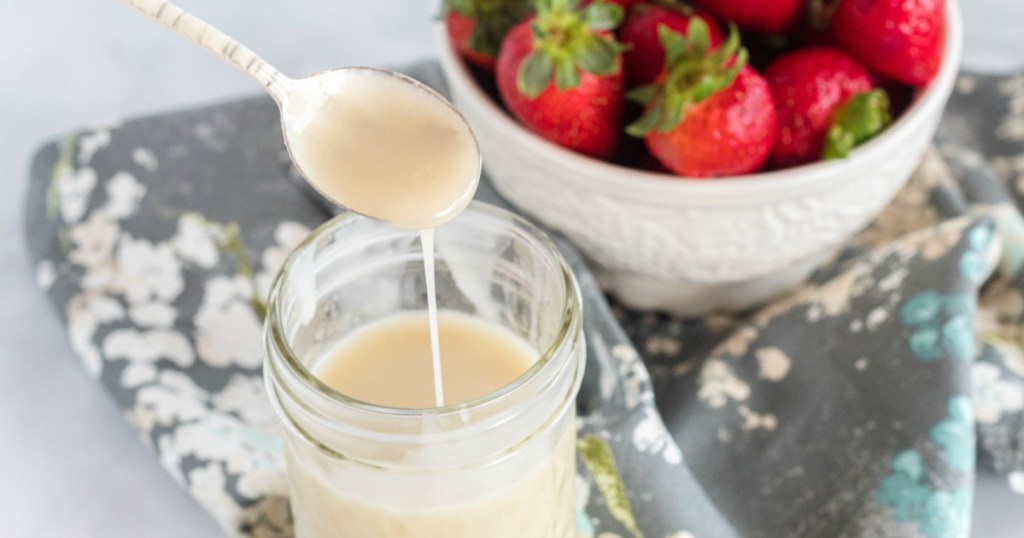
(827, 104)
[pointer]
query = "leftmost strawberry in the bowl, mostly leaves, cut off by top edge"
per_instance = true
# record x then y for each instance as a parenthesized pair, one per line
(478, 27)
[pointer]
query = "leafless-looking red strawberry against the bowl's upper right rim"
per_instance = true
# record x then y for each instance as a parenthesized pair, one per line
(902, 39)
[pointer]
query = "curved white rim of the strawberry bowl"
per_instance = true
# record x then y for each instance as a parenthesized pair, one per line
(654, 186)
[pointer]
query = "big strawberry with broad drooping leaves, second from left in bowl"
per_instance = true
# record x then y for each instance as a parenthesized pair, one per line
(561, 75)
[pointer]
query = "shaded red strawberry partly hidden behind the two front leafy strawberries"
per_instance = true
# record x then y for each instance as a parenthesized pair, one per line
(645, 59)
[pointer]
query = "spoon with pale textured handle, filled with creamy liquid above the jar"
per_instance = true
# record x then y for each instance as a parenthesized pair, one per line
(374, 141)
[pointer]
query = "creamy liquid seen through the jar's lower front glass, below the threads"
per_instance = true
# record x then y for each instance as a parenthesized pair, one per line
(530, 495)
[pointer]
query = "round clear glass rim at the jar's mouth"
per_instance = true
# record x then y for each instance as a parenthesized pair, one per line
(571, 322)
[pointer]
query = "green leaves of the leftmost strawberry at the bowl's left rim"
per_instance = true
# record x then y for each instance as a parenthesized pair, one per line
(493, 19)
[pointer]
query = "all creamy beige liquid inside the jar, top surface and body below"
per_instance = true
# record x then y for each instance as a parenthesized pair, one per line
(530, 493)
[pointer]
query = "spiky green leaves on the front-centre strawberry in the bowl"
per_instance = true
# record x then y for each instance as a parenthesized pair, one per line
(695, 72)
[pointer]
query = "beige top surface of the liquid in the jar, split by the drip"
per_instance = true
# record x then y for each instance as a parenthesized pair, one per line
(390, 363)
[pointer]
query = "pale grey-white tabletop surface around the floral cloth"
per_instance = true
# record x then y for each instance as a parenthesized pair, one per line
(71, 467)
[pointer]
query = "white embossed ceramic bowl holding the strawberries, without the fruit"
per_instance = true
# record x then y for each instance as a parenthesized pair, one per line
(691, 246)
